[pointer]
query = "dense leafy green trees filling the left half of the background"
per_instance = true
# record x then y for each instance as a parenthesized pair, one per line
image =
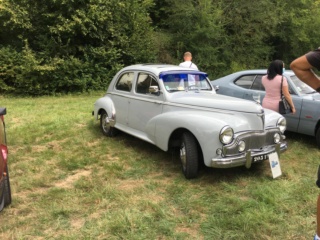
(75, 45)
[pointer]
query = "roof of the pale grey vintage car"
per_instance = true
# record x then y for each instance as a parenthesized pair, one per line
(158, 68)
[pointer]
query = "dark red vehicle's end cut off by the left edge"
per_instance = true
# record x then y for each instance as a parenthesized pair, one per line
(5, 191)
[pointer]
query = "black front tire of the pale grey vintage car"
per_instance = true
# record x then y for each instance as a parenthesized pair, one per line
(189, 155)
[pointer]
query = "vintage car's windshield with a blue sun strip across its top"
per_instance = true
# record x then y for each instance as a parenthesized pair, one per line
(185, 81)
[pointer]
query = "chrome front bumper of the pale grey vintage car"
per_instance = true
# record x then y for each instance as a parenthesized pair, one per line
(246, 159)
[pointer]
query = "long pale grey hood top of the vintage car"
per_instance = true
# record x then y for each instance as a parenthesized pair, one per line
(215, 101)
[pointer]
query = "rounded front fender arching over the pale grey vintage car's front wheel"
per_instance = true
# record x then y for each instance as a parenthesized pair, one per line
(205, 126)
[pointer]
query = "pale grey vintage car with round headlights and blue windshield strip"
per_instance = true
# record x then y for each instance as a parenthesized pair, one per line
(175, 107)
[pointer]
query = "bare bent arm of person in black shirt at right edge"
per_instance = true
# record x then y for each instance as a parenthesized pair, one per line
(303, 70)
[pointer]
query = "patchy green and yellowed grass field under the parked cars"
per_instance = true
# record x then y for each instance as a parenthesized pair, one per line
(71, 182)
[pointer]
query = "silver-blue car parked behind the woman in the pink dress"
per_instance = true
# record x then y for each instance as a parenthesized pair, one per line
(247, 85)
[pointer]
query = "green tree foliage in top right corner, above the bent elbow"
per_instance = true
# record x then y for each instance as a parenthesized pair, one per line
(297, 32)
